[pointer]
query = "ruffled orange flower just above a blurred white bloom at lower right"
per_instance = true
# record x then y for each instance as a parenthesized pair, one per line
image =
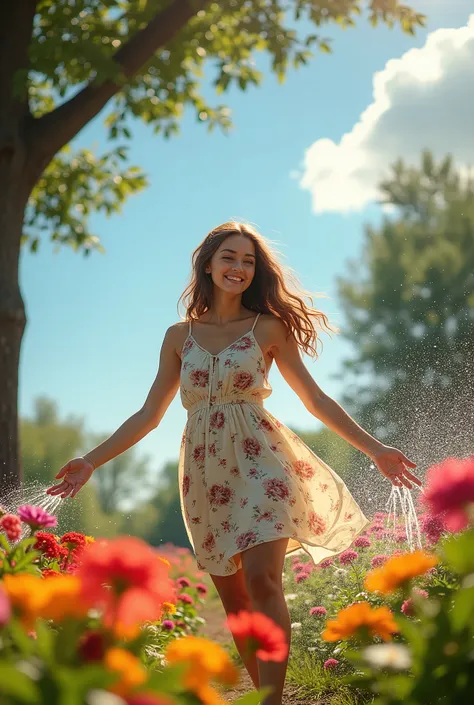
(378, 622)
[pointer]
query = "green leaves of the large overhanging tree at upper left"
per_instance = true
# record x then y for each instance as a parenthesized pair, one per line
(80, 44)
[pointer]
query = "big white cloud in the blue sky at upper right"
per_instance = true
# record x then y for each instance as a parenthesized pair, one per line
(425, 99)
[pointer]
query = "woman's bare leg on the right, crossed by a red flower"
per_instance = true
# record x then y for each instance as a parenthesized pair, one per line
(263, 567)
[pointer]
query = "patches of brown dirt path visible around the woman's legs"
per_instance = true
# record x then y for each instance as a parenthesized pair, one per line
(215, 630)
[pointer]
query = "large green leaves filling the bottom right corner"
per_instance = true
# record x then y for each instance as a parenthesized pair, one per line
(438, 644)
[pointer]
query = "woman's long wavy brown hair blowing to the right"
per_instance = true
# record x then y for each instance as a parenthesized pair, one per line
(268, 292)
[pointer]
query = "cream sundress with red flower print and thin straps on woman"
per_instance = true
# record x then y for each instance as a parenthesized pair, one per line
(244, 477)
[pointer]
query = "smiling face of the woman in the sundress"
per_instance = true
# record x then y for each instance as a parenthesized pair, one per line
(232, 266)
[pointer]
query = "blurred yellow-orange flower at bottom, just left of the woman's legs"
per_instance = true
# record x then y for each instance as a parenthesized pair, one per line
(205, 661)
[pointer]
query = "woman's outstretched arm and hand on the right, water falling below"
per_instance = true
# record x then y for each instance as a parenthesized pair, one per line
(390, 461)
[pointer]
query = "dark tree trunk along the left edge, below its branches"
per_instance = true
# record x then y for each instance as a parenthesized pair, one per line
(12, 325)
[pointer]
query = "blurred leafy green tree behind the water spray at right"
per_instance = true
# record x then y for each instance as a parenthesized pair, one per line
(409, 309)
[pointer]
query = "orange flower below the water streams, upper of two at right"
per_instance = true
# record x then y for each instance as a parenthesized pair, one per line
(398, 570)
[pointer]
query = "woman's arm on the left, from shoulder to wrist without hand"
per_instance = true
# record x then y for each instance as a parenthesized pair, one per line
(159, 398)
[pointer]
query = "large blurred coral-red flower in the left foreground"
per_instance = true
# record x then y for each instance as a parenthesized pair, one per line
(138, 582)
